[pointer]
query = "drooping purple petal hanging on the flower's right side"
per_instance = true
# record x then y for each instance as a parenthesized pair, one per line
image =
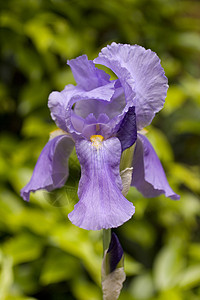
(148, 174)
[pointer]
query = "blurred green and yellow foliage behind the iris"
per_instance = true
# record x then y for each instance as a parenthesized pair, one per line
(42, 255)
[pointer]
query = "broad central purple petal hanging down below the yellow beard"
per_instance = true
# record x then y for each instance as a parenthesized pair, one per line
(101, 203)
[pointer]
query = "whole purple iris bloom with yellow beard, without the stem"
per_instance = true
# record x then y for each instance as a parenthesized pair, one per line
(101, 118)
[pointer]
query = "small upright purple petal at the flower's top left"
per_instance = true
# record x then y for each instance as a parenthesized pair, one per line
(87, 76)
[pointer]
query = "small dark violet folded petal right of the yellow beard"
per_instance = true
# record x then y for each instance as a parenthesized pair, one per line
(127, 133)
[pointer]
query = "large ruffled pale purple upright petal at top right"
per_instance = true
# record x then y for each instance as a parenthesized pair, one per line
(141, 75)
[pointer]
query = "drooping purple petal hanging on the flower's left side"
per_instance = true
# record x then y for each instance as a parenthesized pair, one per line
(51, 170)
